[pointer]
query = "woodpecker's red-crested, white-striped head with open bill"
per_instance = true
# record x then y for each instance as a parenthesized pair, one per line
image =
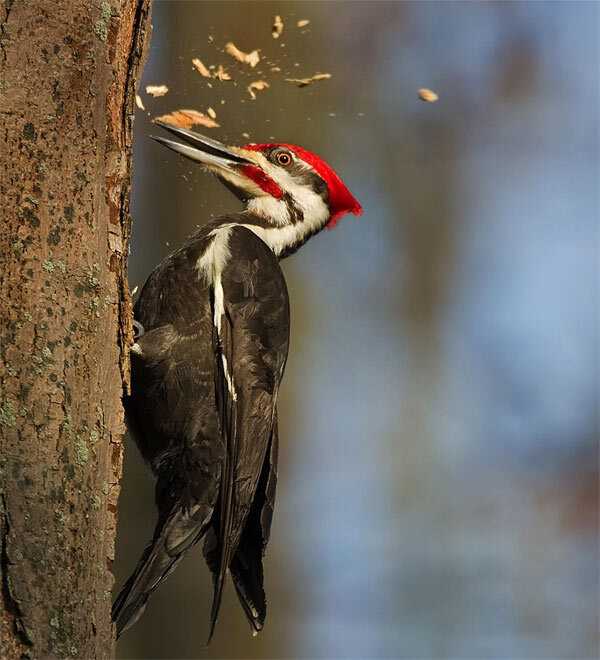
(288, 187)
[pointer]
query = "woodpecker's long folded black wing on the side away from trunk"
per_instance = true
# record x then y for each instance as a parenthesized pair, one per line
(250, 352)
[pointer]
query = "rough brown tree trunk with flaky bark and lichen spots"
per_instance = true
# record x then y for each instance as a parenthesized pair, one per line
(67, 74)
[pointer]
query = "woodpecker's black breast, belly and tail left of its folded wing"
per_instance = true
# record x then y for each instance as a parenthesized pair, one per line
(171, 413)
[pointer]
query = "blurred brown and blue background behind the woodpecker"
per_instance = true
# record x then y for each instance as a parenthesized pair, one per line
(438, 479)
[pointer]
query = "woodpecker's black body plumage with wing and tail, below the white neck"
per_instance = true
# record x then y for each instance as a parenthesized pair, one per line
(211, 444)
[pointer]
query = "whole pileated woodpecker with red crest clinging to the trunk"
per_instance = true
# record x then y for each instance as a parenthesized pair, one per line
(207, 365)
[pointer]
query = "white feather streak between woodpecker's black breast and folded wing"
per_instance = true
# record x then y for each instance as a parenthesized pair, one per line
(210, 267)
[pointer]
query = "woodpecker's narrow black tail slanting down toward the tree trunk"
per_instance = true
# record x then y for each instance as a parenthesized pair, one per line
(178, 533)
